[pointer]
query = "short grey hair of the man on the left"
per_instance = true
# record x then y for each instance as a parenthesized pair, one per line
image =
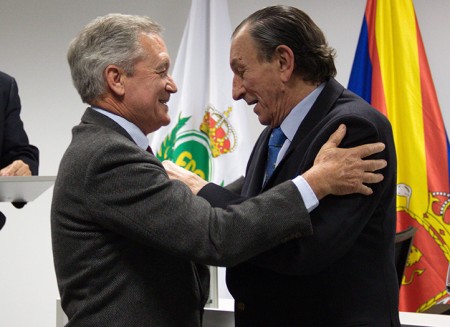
(108, 40)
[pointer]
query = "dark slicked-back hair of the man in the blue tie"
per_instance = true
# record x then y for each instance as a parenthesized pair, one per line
(283, 25)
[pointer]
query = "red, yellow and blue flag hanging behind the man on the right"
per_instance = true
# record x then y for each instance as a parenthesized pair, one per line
(391, 72)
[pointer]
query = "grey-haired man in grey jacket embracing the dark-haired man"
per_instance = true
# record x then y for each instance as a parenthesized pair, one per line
(129, 244)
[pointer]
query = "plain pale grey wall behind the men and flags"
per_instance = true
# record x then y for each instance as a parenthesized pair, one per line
(33, 40)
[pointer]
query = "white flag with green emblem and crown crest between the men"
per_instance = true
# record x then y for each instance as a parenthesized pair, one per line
(209, 132)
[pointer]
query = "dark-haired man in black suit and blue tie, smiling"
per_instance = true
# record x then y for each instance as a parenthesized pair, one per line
(344, 273)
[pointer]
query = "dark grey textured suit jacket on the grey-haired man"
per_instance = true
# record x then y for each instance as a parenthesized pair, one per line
(125, 237)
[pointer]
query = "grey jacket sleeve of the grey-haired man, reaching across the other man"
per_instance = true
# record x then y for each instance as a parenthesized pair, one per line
(133, 196)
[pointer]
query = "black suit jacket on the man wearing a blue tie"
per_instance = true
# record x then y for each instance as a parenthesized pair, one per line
(344, 274)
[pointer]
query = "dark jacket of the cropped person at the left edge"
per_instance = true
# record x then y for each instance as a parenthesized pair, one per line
(14, 143)
